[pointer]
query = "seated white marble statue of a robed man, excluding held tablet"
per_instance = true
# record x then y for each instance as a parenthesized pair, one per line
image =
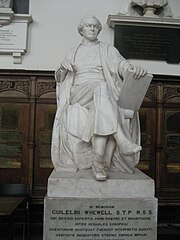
(90, 129)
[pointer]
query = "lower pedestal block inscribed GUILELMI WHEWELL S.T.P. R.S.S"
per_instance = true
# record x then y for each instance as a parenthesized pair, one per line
(100, 219)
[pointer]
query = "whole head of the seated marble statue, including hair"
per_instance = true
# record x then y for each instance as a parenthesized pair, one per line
(89, 27)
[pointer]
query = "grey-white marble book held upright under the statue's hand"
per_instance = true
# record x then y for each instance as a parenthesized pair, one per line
(133, 91)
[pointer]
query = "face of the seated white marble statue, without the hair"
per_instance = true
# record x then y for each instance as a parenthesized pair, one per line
(90, 30)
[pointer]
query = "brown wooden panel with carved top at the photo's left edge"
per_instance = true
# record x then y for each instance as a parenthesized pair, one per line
(14, 128)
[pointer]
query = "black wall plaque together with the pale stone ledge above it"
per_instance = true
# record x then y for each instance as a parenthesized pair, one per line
(147, 38)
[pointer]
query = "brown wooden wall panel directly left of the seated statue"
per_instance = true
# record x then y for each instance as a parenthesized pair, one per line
(43, 166)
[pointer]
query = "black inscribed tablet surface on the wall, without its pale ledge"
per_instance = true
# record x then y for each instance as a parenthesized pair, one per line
(148, 43)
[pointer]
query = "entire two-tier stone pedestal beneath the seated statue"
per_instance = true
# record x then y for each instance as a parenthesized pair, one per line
(77, 207)
